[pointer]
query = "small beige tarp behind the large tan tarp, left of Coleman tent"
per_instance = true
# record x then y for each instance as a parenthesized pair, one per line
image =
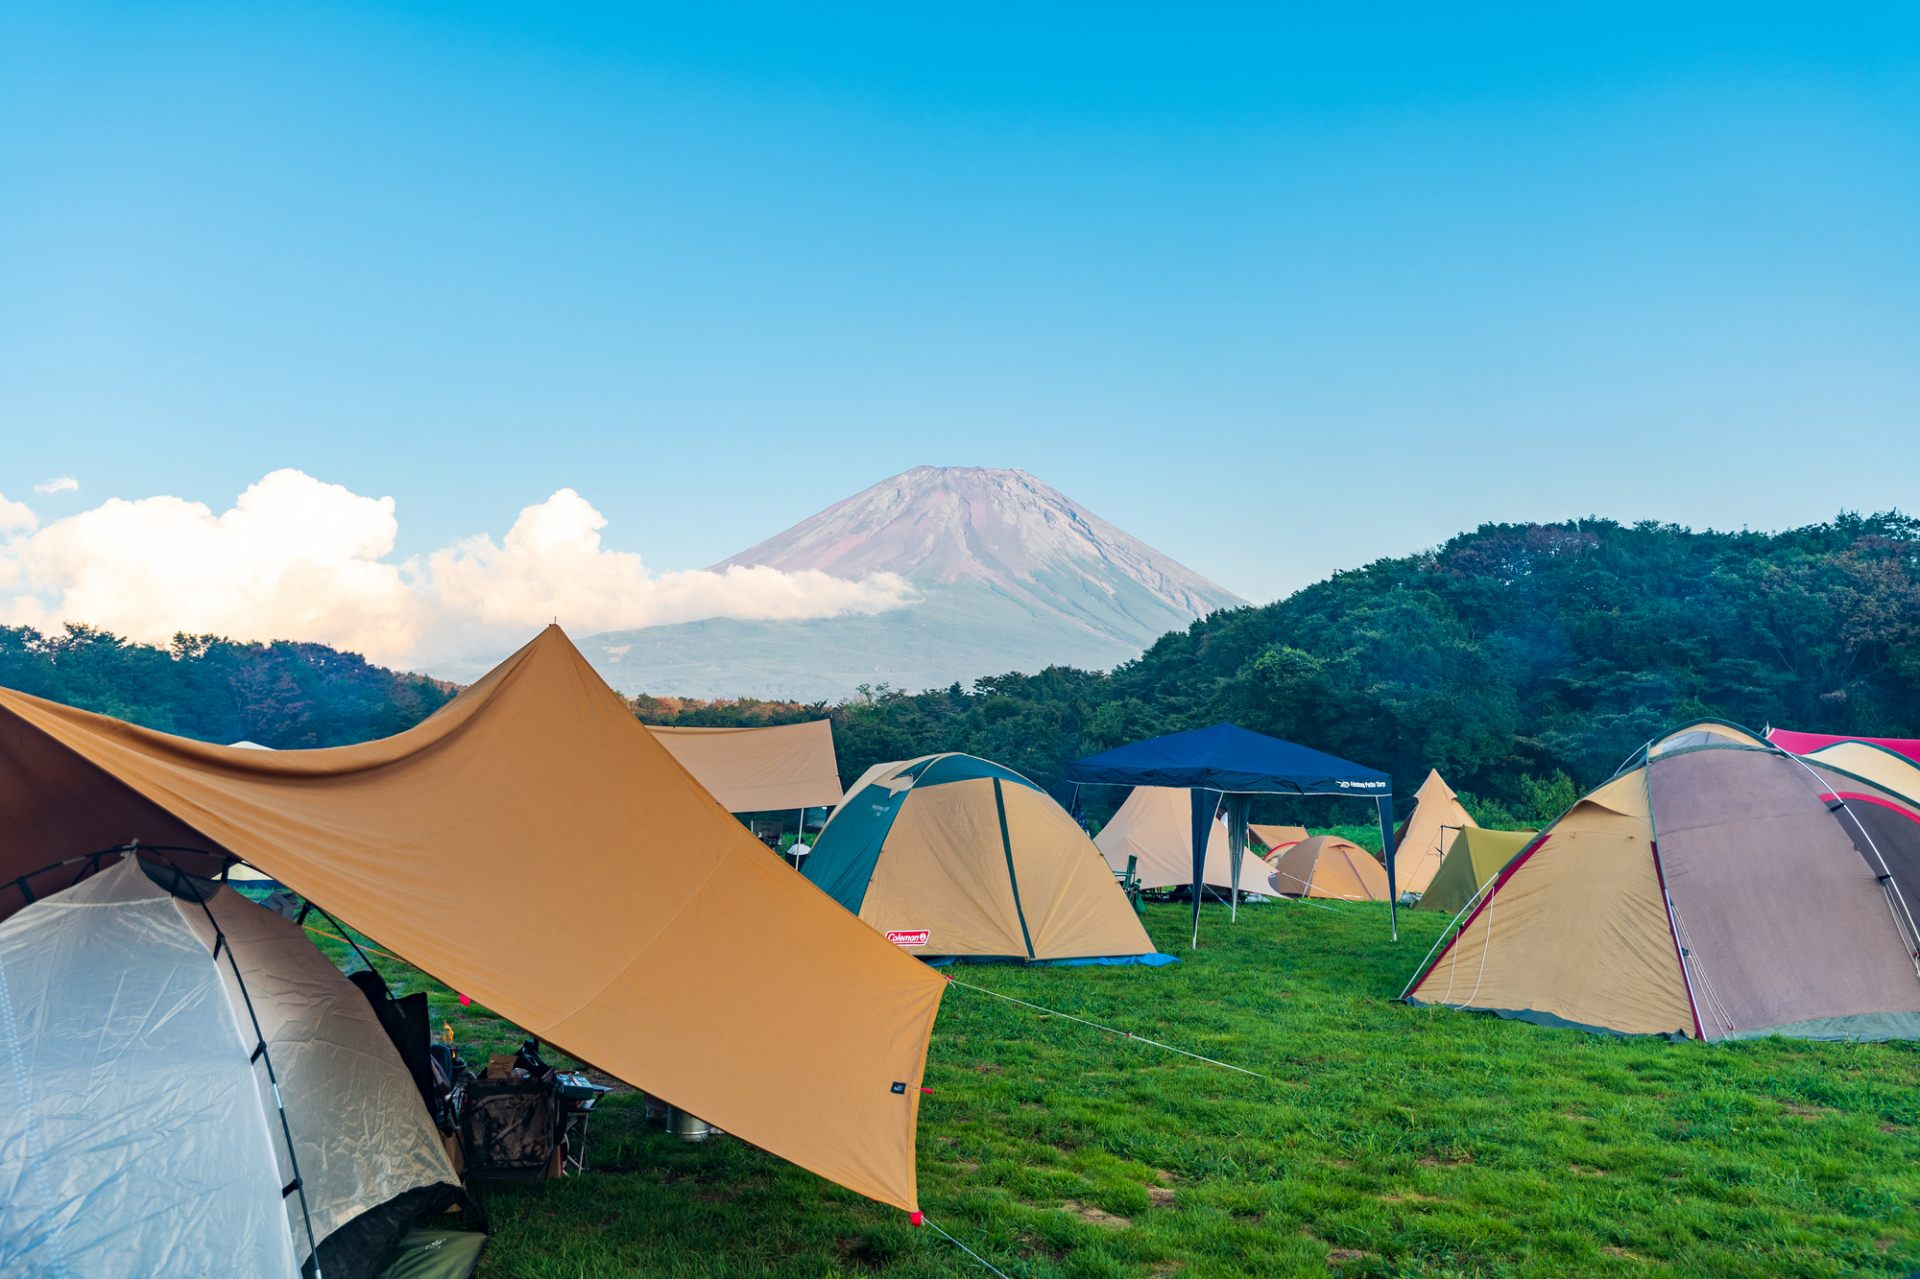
(759, 769)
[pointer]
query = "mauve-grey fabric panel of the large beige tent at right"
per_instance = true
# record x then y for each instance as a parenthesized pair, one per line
(1783, 919)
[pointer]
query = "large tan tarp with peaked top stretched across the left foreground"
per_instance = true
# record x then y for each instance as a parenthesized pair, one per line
(537, 848)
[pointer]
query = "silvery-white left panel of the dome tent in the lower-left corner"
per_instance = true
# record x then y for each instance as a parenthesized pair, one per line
(132, 1134)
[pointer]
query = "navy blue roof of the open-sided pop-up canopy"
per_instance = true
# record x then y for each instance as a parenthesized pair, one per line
(1232, 760)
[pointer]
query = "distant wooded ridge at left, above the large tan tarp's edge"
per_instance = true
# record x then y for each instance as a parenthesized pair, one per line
(277, 694)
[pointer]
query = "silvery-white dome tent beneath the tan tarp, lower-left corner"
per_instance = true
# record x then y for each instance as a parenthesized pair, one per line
(158, 1040)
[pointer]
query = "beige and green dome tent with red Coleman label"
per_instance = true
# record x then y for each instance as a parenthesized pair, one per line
(957, 856)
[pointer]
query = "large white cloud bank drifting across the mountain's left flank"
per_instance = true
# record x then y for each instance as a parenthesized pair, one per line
(302, 560)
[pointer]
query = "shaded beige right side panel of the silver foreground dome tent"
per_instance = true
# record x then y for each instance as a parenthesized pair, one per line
(360, 1128)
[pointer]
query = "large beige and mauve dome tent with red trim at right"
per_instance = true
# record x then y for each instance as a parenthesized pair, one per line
(1717, 888)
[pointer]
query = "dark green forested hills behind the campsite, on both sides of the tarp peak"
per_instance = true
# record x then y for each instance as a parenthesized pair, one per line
(1522, 660)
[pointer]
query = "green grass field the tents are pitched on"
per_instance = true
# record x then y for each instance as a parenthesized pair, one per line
(1383, 1142)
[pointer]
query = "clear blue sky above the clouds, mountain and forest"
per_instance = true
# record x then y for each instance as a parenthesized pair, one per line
(1280, 291)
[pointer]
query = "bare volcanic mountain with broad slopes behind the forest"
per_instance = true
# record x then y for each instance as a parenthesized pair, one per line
(1009, 575)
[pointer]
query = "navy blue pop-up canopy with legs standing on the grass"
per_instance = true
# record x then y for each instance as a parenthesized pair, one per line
(1236, 765)
